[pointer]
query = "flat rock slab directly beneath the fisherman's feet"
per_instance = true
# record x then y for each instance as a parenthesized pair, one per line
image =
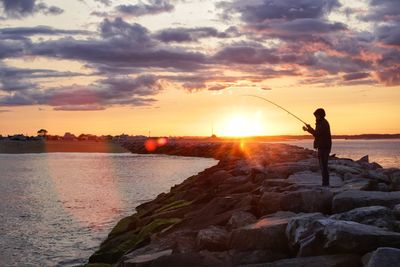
(308, 178)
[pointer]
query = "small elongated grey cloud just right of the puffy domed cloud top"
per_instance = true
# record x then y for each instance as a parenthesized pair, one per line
(180, 35)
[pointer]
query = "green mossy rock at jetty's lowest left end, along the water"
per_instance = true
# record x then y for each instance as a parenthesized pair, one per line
(113, 249)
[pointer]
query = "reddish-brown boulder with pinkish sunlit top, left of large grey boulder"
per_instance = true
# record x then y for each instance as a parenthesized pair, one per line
(267, 233)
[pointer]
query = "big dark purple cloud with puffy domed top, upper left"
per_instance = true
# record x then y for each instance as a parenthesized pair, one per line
(122, 45)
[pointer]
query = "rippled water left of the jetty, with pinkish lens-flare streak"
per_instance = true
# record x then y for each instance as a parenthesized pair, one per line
(56, 208)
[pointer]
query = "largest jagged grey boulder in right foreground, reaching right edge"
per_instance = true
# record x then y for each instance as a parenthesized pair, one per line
(328, 236)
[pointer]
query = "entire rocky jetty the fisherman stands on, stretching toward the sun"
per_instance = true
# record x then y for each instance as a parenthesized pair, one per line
(262, 205)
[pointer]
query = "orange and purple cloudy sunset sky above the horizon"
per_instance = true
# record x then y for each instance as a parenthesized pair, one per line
(181, 67)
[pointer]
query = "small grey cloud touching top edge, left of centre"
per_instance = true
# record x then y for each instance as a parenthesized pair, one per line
(153, 7)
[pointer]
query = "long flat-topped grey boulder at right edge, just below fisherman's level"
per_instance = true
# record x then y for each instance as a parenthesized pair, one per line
(352, 199)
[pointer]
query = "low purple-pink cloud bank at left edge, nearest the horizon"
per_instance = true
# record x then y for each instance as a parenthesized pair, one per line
(99, 95)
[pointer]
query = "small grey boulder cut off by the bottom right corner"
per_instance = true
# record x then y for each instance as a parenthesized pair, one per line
(388, 257)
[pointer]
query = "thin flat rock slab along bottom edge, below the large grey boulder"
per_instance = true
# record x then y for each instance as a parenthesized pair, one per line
(318, 261)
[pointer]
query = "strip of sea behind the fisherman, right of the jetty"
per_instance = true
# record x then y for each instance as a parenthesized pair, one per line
(384, 152)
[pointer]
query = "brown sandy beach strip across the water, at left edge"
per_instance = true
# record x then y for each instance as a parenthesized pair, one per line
(25, 147)
